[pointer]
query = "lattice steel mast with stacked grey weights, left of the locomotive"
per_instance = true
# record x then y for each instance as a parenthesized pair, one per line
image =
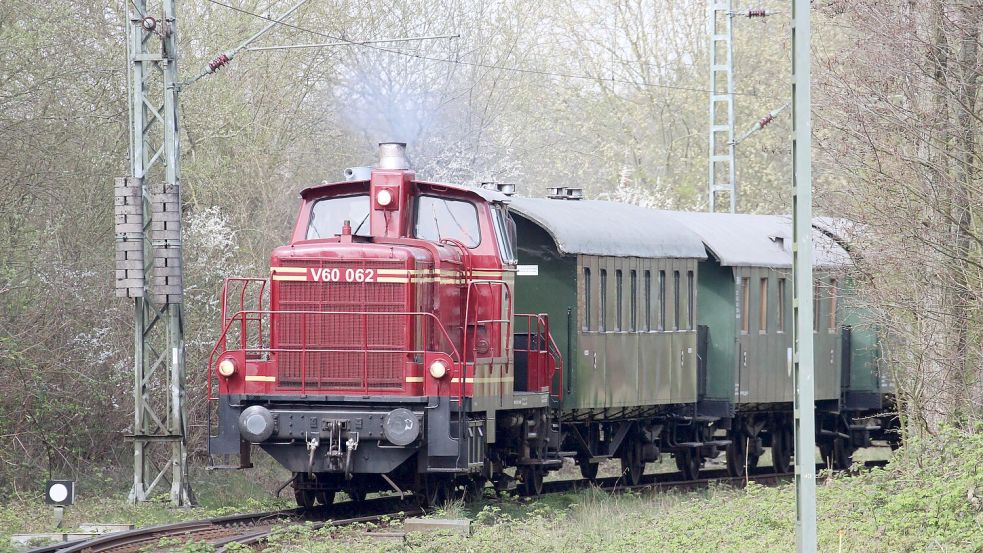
(148, 253)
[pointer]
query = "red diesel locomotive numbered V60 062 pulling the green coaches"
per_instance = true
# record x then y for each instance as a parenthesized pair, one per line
(383, 351)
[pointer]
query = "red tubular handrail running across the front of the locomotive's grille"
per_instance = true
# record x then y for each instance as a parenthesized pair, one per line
(260, 313)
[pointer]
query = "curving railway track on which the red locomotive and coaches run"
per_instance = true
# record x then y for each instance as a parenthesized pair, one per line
(254, 528)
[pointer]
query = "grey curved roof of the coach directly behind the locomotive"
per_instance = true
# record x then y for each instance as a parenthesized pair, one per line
(609, 228)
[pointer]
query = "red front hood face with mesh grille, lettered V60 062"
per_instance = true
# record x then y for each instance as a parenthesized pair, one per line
(367, 352)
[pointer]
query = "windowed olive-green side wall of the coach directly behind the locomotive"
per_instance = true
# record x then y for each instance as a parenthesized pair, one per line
(637, 332)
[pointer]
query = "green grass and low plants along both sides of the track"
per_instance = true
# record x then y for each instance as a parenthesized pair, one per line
(929, 498)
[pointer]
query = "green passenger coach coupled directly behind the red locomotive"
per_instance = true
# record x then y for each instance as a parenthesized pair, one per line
(619, 284)
